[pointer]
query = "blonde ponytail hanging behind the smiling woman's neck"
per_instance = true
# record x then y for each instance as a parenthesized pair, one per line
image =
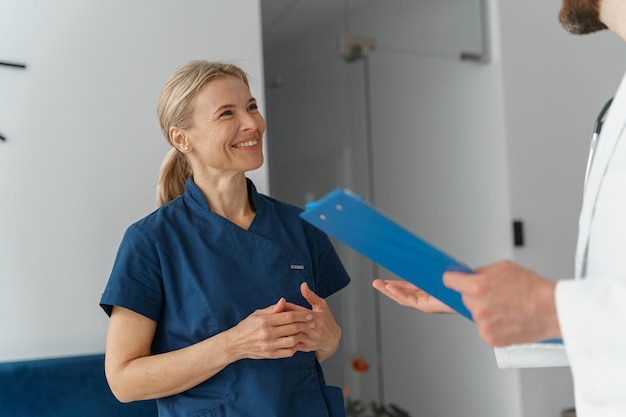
(174, 173)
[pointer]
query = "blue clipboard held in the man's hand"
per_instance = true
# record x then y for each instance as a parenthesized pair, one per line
(352, 221)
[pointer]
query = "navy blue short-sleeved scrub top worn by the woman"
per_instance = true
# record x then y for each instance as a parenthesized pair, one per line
(197, 274)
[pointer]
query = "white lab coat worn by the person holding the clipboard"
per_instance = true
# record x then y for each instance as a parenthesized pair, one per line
(592, 307)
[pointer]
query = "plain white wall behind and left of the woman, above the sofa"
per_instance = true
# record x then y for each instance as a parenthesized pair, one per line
(84, 147)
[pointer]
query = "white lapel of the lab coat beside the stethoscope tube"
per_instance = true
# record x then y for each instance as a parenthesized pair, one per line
(609, 137)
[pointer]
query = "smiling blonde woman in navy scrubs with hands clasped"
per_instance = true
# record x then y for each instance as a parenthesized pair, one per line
(216, 299)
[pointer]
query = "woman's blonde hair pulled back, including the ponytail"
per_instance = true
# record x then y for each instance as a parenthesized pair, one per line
(175, 108)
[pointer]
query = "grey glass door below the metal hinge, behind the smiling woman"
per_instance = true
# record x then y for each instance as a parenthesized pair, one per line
(318, 140)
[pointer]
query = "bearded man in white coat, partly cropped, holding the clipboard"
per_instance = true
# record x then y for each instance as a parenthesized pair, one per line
(515, 308)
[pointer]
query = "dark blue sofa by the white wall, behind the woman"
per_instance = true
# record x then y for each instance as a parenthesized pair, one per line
(63, 387)
